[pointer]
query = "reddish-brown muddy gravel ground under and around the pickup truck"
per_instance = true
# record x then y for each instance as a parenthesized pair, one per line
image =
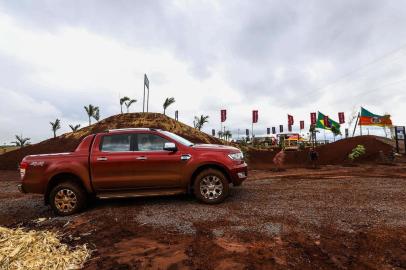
(332, 218)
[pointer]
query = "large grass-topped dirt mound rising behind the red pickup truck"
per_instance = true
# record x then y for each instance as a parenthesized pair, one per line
(68, 141)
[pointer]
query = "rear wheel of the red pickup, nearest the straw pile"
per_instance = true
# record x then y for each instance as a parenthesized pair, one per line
(68, 190)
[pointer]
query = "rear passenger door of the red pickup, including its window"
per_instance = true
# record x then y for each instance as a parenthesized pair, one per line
(112, 162)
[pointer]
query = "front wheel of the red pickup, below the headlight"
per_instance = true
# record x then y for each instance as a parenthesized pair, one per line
(211, 195)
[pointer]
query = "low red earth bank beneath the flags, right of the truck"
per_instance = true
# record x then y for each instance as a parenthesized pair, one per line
(329, 154)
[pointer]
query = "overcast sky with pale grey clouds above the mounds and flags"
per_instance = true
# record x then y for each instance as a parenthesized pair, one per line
(278, 57)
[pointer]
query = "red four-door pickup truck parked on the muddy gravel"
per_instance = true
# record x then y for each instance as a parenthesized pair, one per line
(129, 163)
